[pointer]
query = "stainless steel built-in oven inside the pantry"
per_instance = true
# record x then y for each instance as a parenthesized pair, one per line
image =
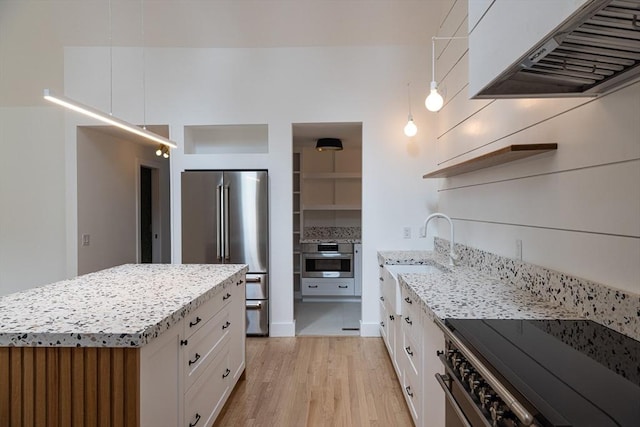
(327, 260)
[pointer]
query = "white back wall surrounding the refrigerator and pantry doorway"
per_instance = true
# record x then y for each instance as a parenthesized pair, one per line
(281, 86)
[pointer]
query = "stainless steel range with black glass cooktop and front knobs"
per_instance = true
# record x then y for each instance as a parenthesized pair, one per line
(539, 373)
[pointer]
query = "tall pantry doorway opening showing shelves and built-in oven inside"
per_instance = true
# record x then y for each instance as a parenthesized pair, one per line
(327, 212)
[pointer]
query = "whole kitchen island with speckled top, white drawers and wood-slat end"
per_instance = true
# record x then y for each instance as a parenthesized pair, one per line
(143, 344)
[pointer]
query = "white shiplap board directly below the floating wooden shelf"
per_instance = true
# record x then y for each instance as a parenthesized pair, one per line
(542, 201)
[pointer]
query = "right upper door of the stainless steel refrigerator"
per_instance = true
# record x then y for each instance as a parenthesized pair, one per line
(248, 219)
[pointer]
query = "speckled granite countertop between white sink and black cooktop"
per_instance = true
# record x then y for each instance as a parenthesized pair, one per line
(465, 293)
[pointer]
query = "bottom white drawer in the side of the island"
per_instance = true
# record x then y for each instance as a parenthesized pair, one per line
(203, 401)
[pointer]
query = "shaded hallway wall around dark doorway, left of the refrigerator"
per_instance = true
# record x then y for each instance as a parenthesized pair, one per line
(108, 198)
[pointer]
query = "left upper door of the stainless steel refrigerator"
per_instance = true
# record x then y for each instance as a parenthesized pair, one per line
(200, 217)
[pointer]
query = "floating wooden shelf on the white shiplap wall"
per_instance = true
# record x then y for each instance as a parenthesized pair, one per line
(498, 157)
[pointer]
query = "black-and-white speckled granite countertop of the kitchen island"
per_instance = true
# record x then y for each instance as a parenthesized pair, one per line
(124, 306)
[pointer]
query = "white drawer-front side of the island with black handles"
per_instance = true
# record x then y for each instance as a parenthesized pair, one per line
(187, 374)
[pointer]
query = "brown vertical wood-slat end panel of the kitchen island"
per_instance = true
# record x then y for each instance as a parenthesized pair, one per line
(62, 386)
